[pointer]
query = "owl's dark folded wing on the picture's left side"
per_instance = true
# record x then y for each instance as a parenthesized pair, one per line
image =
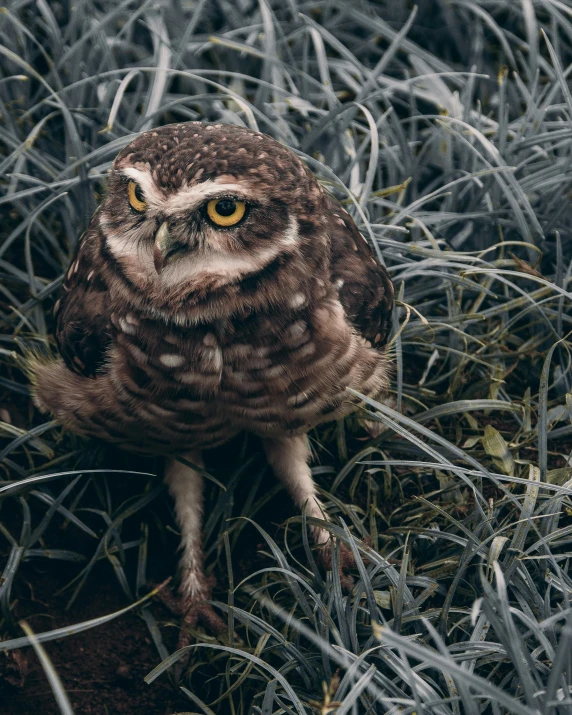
(83, 328)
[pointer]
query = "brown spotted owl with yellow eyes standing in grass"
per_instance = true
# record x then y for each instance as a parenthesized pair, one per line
(218, 289)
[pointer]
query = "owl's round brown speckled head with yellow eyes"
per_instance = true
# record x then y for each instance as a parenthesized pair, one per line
(198, 206)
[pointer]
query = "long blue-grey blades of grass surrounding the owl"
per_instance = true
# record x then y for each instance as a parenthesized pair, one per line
(447, 130)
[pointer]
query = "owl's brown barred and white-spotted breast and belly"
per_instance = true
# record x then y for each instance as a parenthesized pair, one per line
(270, 374)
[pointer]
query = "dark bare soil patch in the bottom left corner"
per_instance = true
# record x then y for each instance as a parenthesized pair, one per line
(102, 669)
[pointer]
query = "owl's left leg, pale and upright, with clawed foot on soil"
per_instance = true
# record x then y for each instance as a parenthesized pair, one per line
(186, 487)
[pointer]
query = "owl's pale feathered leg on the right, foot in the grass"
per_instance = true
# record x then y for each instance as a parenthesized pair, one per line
(289, 458)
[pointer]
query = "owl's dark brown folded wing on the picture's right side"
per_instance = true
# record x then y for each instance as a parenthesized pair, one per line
(365, 288)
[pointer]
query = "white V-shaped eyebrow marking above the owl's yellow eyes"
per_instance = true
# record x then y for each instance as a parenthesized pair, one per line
(188, 197)
